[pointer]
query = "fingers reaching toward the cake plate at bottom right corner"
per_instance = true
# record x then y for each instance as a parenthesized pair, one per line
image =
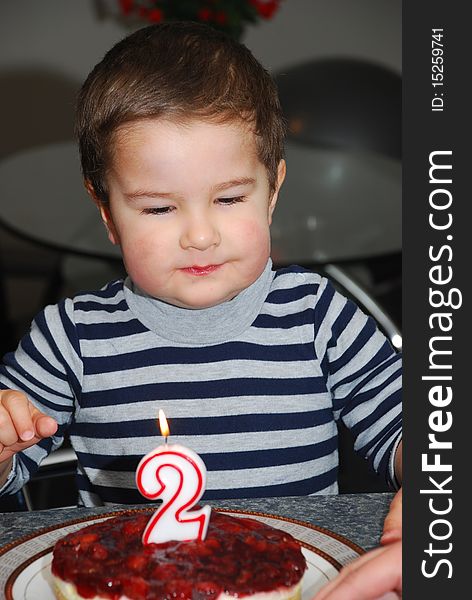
(376, 575)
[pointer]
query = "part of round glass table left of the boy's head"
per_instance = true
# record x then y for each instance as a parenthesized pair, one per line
(44, 200)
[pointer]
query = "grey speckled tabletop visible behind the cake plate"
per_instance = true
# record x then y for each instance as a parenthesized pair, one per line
(359, 517)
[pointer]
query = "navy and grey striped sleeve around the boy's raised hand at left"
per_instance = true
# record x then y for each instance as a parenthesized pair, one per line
(47, 367)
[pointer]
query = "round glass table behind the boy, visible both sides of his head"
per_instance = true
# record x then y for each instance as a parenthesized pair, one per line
(333, 206)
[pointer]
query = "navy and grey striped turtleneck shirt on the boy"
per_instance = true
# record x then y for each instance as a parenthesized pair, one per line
(255, 386)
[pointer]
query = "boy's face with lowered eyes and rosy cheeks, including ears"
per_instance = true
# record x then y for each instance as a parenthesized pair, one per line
(190, 207)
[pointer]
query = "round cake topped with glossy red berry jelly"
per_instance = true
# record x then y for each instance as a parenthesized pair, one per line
(239, 558)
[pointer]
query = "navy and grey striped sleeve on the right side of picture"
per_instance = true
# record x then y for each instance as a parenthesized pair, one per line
(363, 373)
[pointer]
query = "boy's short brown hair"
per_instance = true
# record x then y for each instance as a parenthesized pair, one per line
(176, 71)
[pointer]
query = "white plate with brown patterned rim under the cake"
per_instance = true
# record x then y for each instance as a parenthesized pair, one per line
(25, 564)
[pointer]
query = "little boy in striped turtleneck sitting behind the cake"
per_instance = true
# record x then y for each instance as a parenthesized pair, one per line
(181, 140)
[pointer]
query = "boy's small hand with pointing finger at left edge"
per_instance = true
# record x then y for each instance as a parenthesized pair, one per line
(21, 424)
